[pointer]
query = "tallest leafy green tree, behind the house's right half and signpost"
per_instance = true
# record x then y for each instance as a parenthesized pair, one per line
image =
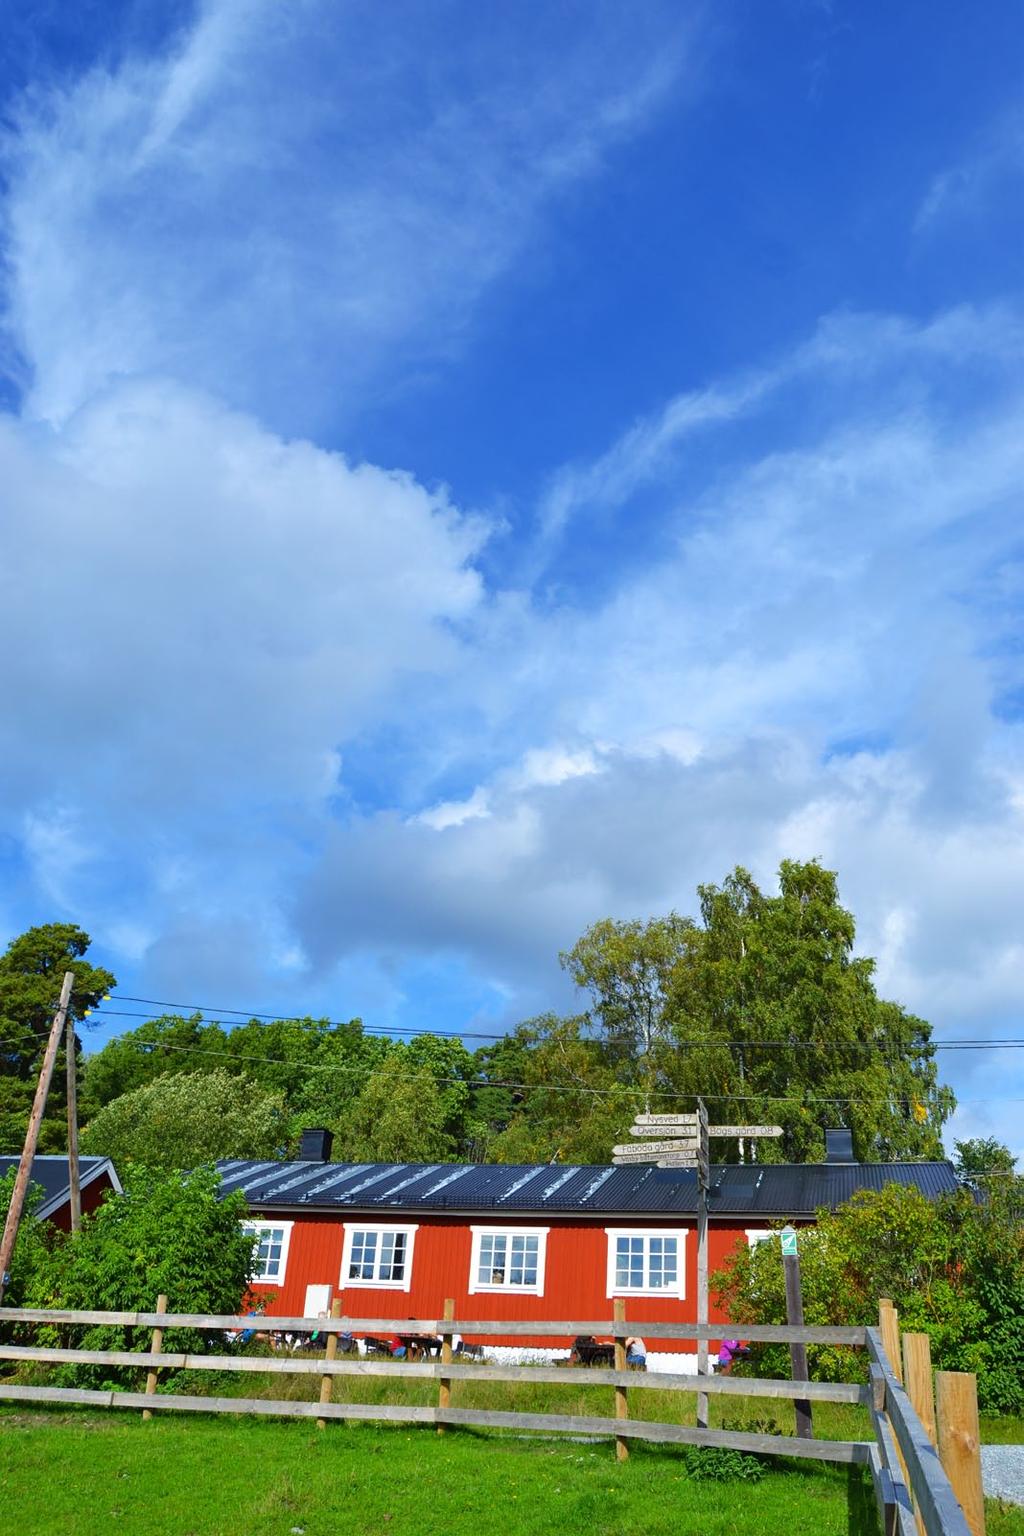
(765, 1011)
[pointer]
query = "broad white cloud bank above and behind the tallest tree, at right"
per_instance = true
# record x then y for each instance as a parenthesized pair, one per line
(813, 666)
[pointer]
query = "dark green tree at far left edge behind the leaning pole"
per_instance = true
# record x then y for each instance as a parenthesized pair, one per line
(31, 975)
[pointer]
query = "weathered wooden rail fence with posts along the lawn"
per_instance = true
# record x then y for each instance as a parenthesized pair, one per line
(913, 1485)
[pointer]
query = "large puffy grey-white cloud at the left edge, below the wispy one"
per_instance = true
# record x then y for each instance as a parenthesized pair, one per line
(194, 614)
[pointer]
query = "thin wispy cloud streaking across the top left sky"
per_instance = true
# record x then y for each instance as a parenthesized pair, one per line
(300, 207)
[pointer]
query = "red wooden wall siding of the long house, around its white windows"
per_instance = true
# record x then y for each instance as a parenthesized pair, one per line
(576, 1273)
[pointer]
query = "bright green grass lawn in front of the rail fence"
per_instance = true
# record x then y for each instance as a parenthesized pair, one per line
(93, 1474)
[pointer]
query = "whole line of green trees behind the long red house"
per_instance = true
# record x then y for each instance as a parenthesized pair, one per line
(758, 1004)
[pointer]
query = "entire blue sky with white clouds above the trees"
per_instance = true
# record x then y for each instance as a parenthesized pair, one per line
(466, 472)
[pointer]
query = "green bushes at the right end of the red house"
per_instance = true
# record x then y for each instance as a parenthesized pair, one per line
(954, 1270)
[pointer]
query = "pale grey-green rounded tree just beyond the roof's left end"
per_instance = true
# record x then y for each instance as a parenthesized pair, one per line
(182, 1121)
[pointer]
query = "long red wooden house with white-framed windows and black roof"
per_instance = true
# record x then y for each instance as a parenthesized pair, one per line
(543, 1242)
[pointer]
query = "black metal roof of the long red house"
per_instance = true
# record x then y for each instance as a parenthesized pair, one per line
(784, 1190)
